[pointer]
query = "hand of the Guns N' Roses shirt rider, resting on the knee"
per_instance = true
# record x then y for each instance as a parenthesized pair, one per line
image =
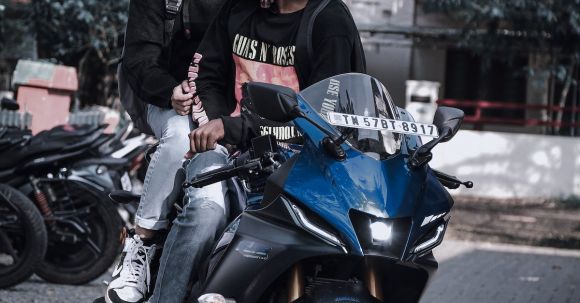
(205, 137)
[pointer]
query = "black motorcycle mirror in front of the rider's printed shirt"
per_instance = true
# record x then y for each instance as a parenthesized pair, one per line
(273, 102)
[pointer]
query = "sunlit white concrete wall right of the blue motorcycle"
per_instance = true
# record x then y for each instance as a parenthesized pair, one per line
(504, 165)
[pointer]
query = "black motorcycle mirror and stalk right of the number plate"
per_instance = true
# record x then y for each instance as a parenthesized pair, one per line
(447, 120)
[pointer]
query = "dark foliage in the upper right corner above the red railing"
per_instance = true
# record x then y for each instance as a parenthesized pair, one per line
(506, 29)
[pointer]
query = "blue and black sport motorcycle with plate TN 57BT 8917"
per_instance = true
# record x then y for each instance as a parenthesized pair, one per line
(352, 216)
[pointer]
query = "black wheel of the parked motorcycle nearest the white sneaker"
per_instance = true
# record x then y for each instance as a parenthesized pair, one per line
(83, 238)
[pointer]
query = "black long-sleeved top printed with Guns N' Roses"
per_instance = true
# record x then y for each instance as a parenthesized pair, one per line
(247, 43)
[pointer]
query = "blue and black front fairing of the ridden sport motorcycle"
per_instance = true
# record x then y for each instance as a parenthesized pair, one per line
(342, 197)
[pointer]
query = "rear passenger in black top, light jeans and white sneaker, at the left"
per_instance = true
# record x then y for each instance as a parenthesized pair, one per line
(156, 74)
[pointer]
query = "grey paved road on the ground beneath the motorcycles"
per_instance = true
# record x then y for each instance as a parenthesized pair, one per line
(468, 272)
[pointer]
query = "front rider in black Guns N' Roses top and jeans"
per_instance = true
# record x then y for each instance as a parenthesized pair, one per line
(247, 43)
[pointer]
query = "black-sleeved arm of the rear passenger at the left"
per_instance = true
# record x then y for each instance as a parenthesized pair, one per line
(143, 53)
